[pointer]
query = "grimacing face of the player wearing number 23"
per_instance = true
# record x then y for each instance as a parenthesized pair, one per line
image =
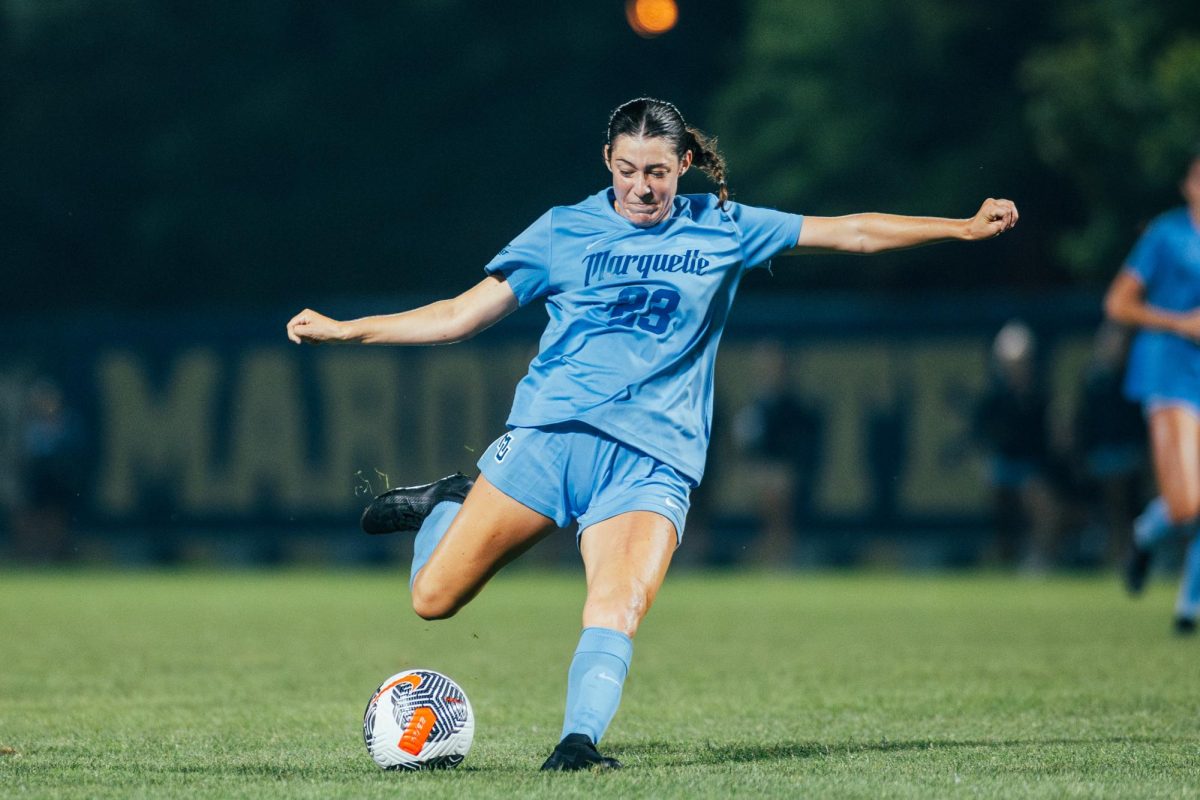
(645, 178)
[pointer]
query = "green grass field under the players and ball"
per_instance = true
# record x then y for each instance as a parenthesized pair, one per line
(253, 685)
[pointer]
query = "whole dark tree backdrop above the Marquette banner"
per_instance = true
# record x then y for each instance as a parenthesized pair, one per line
(285, 151)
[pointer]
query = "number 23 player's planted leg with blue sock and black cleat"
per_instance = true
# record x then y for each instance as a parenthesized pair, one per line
(626, 560)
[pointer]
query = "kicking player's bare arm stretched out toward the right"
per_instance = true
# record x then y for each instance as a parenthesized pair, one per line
(878, 233)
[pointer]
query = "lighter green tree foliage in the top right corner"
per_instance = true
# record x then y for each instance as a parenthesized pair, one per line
(1115, 106)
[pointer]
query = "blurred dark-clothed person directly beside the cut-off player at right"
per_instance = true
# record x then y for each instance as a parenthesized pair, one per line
(1109, 442)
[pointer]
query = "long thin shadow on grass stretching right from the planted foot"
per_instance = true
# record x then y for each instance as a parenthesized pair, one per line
(677, 755)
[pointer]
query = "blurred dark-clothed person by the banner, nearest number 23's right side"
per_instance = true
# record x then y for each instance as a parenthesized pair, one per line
(779, 436)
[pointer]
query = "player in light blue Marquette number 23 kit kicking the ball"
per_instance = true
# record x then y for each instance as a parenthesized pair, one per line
(611, 424)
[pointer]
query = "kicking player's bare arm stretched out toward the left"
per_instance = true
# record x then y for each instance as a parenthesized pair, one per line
(439, 323)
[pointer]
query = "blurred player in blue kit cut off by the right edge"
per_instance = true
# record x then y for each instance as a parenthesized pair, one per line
(1159, 291)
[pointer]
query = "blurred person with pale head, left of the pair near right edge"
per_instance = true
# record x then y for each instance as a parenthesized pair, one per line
(1011, 425)
